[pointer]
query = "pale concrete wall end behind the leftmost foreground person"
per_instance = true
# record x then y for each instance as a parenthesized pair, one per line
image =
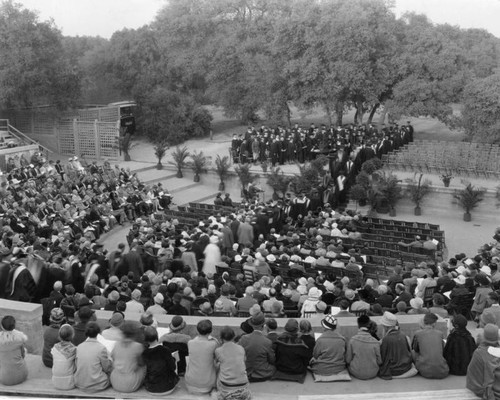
(28, 320)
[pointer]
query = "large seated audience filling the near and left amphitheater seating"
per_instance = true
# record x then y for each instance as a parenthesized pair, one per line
(237, 264)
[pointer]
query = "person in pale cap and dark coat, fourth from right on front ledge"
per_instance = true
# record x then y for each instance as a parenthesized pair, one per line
(395, 350)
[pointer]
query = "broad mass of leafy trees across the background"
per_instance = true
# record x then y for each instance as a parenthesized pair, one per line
(255, 57)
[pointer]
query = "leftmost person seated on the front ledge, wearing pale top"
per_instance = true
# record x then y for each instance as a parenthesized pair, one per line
(13, 369)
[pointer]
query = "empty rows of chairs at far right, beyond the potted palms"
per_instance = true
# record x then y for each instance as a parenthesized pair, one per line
(460, 158)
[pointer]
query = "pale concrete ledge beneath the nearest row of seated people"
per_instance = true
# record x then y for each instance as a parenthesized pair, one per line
(39, 384)
